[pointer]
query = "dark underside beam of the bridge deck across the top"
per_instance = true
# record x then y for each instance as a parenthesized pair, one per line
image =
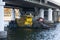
(25, 4)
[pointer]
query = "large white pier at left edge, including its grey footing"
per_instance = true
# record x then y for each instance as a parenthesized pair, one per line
(3, 33)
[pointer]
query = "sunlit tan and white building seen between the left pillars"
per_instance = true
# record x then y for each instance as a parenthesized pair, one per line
(7, 15)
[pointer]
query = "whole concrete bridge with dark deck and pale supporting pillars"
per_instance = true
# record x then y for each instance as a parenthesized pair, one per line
(42, 8)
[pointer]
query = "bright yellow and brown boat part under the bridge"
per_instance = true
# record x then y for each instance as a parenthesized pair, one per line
(25, 20)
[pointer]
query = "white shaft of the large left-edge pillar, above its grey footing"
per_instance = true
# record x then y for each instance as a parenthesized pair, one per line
(2, 15)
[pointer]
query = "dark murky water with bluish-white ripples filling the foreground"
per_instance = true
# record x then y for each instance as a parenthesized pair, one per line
(35, 34)
